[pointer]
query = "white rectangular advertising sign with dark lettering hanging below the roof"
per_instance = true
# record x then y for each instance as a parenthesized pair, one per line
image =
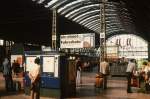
(77, 40)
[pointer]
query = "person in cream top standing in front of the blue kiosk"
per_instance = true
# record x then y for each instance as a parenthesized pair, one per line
(34, 75)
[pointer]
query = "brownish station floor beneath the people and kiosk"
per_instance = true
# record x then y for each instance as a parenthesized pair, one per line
(116, 90)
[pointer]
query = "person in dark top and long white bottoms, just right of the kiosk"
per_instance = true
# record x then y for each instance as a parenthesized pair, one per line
(78, 69)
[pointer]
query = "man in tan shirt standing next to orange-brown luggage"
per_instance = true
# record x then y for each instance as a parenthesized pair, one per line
(104, 69)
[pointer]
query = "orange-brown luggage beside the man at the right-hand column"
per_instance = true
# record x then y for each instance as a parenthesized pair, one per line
(99, 81)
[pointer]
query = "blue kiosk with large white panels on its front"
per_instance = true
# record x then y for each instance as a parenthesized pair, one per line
(56, 72)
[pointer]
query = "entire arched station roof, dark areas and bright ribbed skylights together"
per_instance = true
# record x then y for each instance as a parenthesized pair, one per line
(32, 19)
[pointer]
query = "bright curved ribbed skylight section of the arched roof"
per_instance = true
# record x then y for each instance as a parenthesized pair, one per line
(87, 13)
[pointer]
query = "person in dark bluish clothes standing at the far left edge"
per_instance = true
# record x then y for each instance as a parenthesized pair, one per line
(7, 73)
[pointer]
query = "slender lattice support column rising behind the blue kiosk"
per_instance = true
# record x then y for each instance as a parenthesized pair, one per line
(54, 35)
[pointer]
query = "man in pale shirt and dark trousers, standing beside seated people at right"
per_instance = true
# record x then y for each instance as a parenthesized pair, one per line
(130, 70)
